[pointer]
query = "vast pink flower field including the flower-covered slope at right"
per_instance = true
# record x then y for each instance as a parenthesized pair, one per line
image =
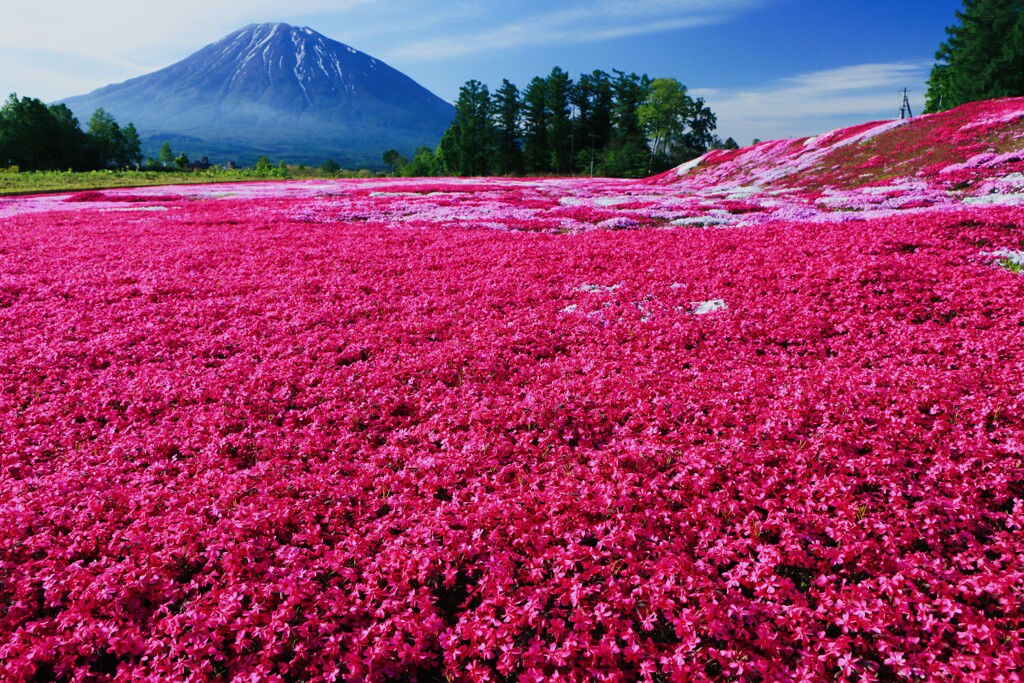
(758, 419)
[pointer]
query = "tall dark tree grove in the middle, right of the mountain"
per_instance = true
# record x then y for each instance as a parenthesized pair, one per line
(605, 124)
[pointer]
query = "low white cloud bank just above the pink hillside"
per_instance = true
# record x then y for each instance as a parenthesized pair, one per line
(817, 102)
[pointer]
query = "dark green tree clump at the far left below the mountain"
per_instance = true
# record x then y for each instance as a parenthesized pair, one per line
(35, 137)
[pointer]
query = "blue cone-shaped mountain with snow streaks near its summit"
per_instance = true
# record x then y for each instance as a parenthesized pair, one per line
(278, 91)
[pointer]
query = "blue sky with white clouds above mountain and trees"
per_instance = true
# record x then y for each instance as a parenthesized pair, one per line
(769, 69)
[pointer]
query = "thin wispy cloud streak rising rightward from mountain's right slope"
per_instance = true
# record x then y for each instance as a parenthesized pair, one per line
(590, 22)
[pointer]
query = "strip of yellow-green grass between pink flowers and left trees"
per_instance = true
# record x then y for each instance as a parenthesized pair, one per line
(14, 183)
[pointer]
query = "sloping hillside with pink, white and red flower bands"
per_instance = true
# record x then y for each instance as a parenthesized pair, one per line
(973, 151)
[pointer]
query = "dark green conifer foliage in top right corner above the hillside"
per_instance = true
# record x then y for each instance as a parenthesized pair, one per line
(983, 58)
